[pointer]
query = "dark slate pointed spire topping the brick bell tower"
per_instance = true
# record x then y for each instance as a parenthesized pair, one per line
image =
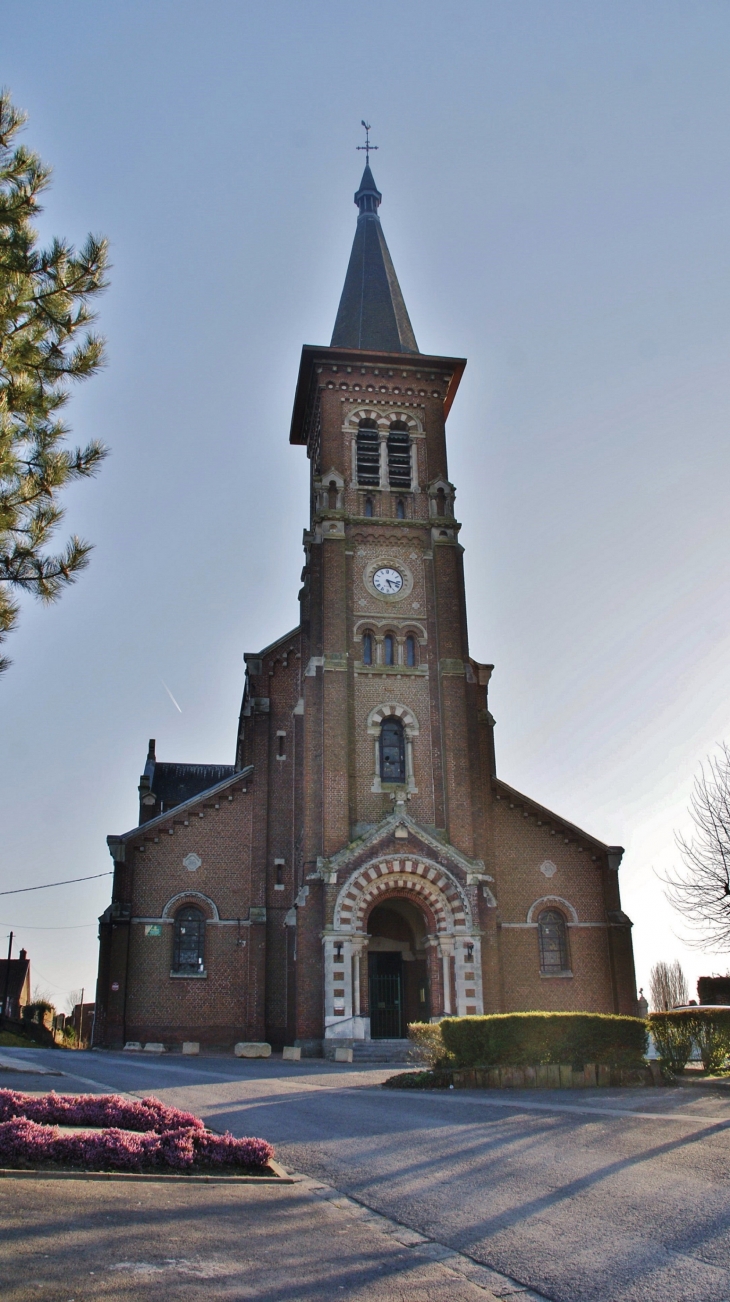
(373, 314)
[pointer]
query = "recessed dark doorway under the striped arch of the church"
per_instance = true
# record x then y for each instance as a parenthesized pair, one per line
(398, 969)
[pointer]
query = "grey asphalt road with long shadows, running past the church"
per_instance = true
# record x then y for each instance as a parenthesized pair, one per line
(581, 1196)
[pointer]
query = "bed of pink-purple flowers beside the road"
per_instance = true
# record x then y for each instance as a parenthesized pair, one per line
(136, 1136)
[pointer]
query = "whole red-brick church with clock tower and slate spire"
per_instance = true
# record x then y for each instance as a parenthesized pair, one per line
(360, 865)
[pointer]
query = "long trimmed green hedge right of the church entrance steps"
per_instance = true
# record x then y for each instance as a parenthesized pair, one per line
(526, 1040)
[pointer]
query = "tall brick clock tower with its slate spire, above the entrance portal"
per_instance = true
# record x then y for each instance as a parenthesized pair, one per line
(395, 721)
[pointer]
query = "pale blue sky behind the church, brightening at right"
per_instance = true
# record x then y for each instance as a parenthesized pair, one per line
(556, 188)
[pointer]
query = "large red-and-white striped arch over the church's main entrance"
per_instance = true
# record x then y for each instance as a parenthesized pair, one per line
(416, 878)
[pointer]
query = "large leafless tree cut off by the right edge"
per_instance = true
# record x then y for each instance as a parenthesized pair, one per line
(701, 889)
